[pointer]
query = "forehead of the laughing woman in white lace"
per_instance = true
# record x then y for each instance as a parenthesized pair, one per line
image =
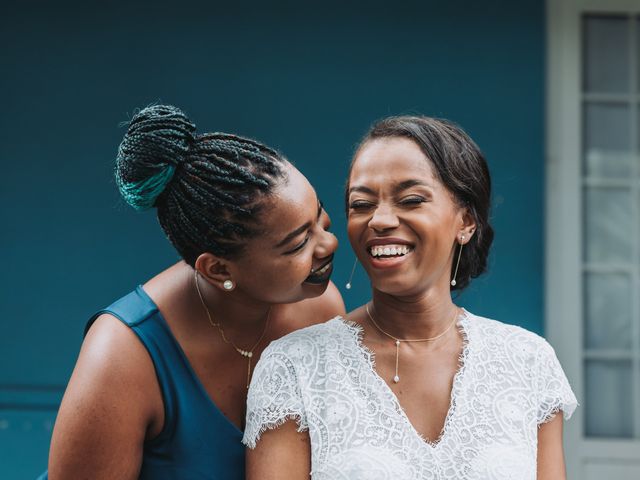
(387, 159)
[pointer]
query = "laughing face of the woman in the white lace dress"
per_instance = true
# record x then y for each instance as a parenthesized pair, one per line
(403, 223)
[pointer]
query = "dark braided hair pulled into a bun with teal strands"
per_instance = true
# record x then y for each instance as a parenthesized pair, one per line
(208, 189)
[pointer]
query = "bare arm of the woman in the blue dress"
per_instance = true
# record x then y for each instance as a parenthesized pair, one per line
(110, 405)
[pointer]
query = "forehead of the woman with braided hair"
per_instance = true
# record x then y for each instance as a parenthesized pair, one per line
(292, 204)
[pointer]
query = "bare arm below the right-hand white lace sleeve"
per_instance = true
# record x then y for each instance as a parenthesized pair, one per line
(550, 452)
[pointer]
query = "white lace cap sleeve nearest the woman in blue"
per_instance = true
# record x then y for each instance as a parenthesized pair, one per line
(274, 396)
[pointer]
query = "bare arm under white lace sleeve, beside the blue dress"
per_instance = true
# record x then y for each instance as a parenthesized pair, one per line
(280, 453)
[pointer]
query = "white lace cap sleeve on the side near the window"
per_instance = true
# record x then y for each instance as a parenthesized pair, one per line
(553, 389)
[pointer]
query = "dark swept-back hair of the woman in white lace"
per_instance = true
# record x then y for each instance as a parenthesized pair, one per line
(461, 167)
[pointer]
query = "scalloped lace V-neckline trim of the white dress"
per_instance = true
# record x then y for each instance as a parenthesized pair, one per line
(368, 356)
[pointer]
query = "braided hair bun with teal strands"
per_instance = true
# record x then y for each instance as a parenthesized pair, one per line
(157, 141)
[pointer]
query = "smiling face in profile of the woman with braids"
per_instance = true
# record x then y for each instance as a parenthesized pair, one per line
(292, 259)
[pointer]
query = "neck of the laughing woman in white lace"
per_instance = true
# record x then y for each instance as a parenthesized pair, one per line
(422, 316)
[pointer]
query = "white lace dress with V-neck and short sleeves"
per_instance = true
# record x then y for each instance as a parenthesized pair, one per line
(509, 383)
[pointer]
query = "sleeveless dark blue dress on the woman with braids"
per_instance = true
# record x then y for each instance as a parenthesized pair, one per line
(197, 440)
